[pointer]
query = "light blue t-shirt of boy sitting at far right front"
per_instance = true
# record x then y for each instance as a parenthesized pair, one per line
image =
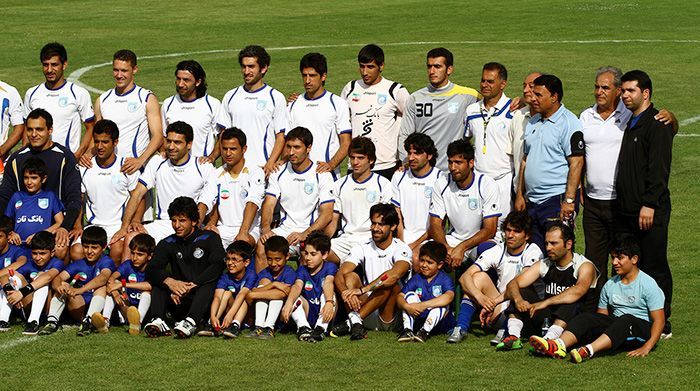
(638, 298)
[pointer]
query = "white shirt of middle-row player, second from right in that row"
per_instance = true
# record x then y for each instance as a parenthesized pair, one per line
(413, 194)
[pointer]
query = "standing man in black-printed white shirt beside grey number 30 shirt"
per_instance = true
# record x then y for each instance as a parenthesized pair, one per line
(376, 106)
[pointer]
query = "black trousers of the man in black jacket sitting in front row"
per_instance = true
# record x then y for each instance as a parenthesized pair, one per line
(195, 305)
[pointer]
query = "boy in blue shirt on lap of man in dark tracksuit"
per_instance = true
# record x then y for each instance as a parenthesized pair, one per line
(36, 209)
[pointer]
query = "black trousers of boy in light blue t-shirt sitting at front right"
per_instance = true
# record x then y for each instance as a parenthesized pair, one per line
(626, 329)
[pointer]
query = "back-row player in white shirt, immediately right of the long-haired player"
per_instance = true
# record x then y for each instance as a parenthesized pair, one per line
(257, 109)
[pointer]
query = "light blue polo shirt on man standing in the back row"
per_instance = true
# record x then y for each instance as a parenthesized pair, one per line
(547, 143)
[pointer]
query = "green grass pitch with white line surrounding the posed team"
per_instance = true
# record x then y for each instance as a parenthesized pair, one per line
(568, 38)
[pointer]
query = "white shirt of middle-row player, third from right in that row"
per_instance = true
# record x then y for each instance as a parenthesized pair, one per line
(354, 199)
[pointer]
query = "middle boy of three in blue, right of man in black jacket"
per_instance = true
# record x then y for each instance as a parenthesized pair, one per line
(273, 286)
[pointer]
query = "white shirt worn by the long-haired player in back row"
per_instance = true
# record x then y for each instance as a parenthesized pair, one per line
(199, 113)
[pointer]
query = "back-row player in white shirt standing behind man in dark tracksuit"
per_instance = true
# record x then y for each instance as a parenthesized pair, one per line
(69, 104)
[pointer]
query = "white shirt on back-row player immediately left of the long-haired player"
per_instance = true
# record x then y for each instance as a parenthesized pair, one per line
(128, 111)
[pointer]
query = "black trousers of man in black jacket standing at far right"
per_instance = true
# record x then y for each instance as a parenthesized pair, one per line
(654, 246)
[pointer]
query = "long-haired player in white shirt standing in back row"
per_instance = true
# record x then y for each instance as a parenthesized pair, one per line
(193, 105)
